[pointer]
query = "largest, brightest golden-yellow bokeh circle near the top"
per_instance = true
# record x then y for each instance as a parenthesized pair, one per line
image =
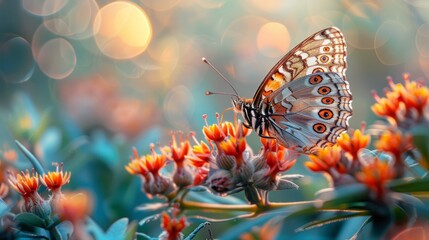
(122, 30)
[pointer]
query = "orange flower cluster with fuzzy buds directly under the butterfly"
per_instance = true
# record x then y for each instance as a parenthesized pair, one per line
(225, 163)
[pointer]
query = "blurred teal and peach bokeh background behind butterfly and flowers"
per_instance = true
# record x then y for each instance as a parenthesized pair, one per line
(82, 81)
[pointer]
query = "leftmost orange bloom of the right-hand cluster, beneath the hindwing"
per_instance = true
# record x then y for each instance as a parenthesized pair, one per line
(326, 159)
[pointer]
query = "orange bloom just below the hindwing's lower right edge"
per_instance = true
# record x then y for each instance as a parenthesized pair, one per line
(353, 144)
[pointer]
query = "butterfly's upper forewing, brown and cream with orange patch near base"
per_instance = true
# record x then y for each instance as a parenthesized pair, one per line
(324, 51)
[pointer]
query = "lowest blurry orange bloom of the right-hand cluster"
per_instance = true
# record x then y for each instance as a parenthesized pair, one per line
(375, 175)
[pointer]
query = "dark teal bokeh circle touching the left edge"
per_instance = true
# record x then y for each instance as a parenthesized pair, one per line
(16, 60)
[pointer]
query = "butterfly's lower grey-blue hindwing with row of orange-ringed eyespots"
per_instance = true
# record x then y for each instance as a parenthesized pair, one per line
(311, 111)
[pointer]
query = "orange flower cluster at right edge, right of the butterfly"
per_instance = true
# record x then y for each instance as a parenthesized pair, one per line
(348, 161)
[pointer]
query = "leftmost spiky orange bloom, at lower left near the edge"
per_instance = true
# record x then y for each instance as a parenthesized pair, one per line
(25, 183)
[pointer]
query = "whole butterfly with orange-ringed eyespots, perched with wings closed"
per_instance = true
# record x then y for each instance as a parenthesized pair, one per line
(304, 102)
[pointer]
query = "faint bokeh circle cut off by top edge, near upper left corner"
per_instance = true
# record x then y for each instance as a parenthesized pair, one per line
(43, 7)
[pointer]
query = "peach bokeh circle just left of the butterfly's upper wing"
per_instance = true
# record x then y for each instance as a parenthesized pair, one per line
(273, 39)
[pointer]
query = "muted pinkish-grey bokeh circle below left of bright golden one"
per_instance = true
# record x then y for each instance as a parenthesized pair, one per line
(57, 58)
